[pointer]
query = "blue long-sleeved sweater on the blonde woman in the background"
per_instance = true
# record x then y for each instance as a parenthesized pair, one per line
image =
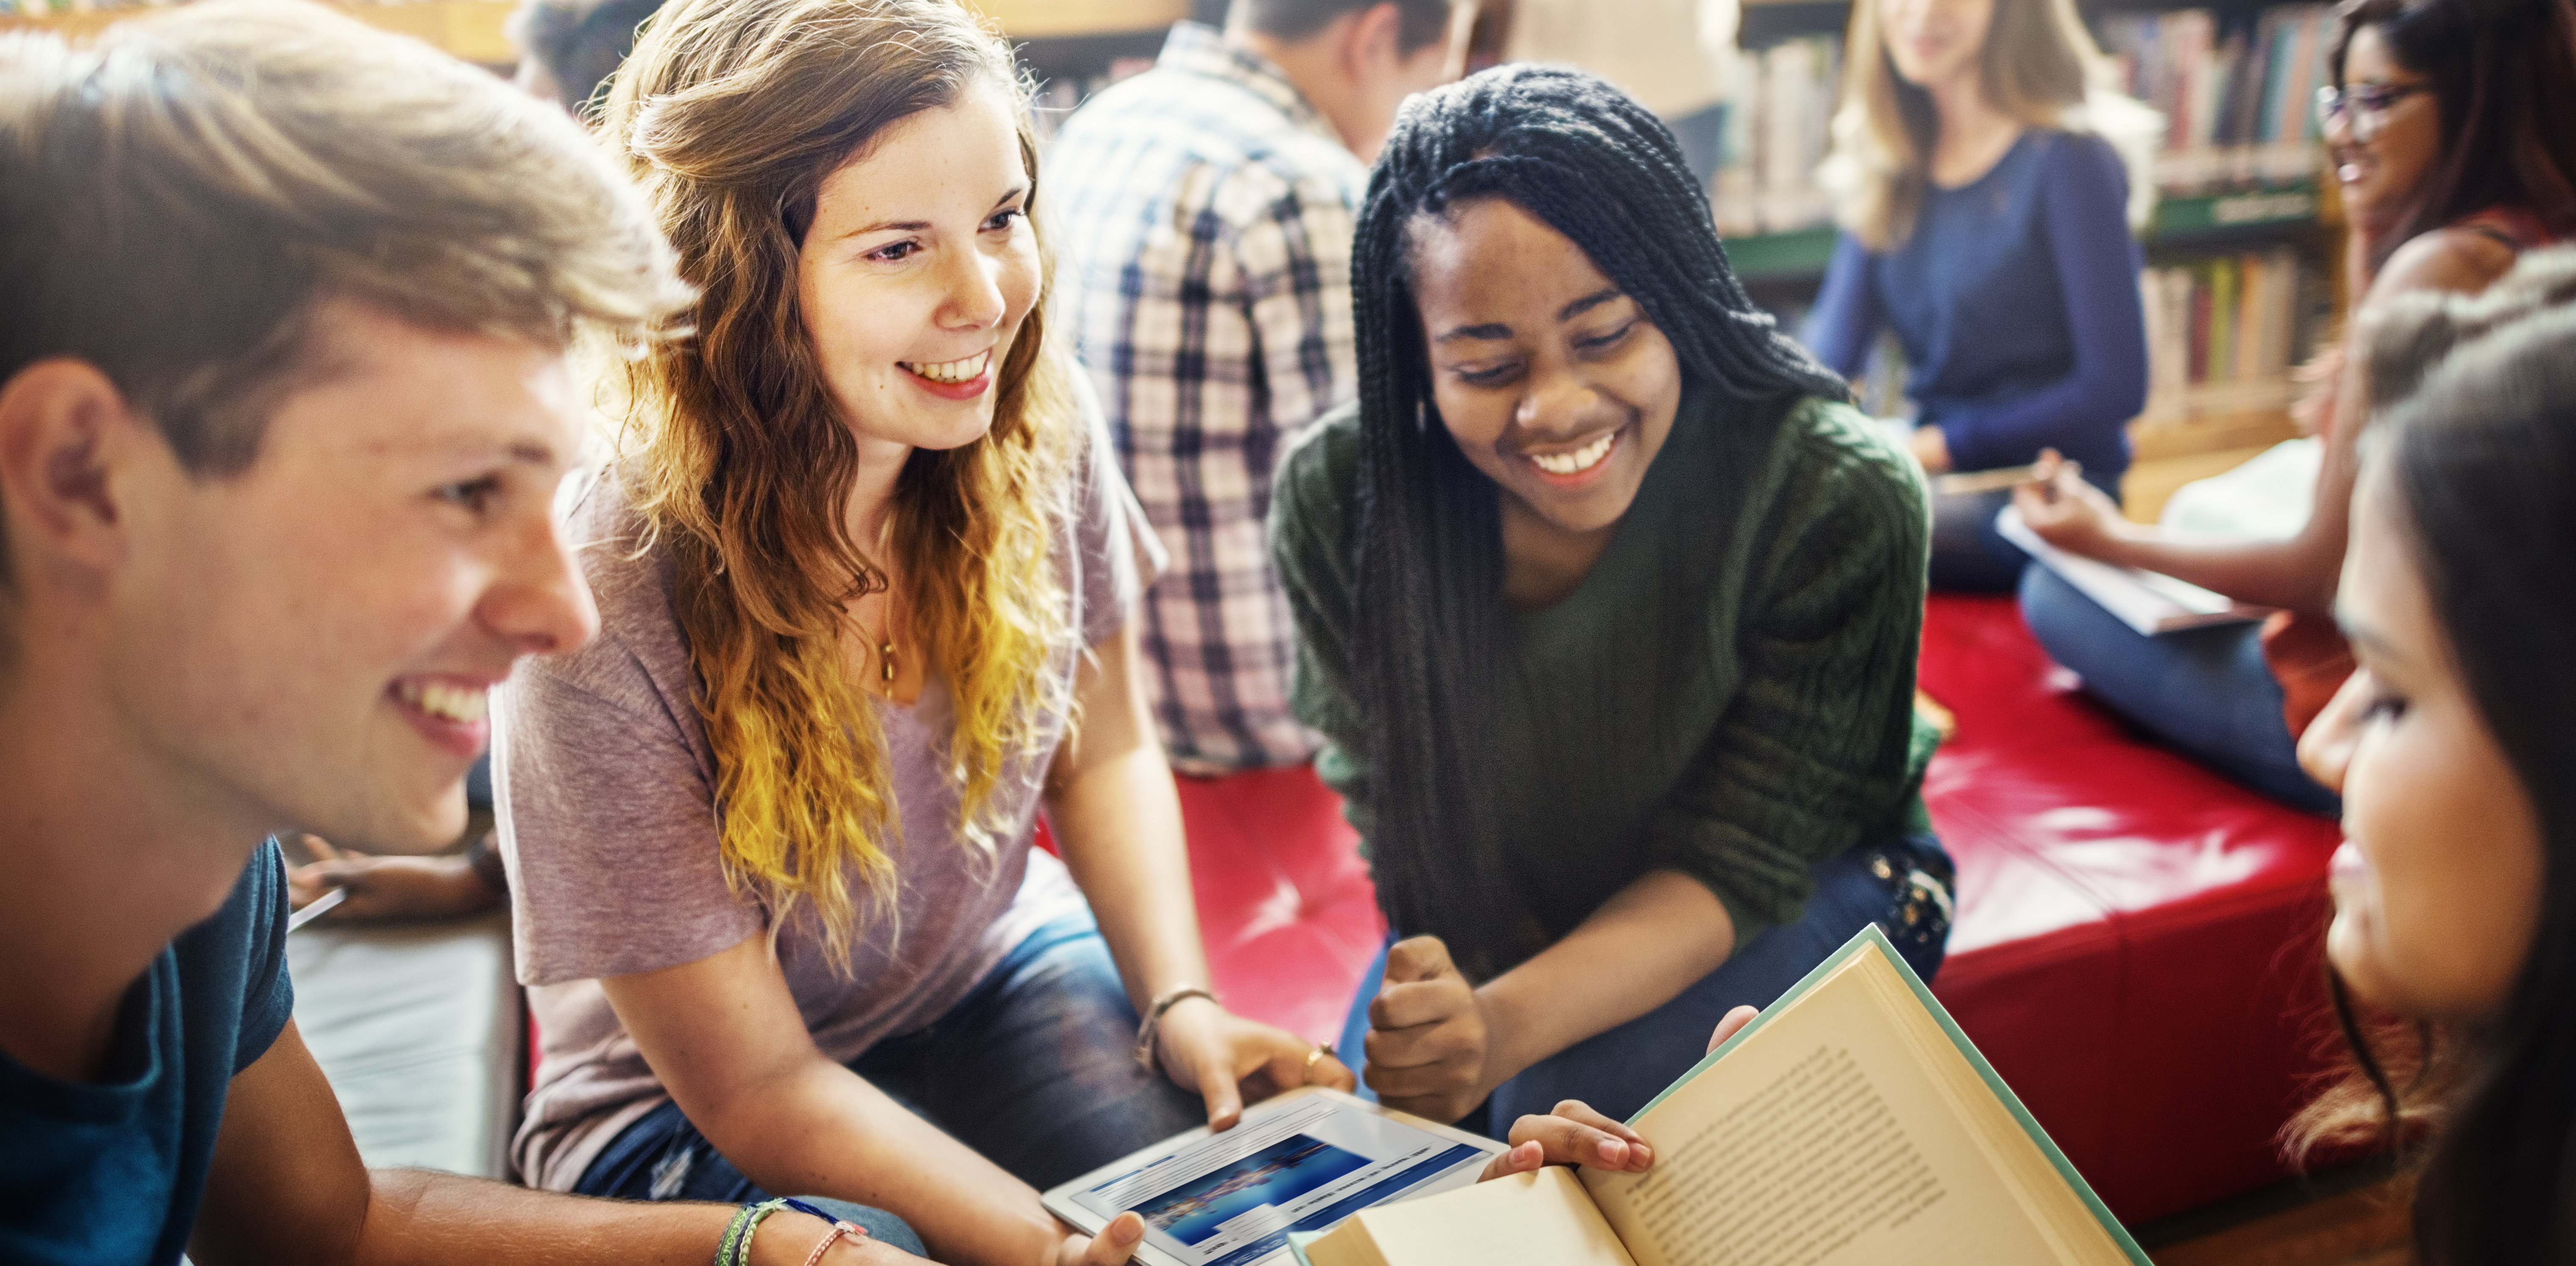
(2016, 302)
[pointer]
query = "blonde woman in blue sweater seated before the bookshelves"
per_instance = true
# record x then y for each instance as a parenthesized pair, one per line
(1987, 223)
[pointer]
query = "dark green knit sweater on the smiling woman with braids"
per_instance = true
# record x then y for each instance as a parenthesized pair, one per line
(1789, 740)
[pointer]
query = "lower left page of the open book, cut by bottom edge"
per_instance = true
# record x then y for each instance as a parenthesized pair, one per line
(1531, 1218)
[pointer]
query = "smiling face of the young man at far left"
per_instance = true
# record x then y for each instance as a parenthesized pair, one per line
(310, 642)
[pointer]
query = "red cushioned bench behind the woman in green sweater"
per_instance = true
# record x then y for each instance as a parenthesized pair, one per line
(2137, 940)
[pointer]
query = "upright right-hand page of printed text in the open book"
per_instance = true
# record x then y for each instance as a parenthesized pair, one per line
(1817, 1141)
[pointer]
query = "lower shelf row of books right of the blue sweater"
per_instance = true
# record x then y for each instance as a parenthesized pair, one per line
(2230, 326)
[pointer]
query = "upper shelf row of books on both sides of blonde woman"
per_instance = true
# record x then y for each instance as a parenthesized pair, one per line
(2237, 99)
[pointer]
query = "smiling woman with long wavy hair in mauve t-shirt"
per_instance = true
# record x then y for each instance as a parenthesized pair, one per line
(864, 583)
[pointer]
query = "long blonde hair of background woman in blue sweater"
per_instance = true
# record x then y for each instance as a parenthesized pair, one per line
(2039, 66)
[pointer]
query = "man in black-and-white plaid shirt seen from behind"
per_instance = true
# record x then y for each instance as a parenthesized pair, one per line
(1207, 212)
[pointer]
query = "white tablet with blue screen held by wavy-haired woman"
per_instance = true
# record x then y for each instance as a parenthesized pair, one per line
(1300, 1162)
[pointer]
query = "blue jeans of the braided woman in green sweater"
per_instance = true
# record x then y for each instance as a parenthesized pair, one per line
(1622, 1069)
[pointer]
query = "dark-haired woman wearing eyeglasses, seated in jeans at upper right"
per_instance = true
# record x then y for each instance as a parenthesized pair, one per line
(2454, 138)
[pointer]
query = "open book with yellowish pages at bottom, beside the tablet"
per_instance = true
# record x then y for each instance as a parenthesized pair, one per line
(1851, 1123)
